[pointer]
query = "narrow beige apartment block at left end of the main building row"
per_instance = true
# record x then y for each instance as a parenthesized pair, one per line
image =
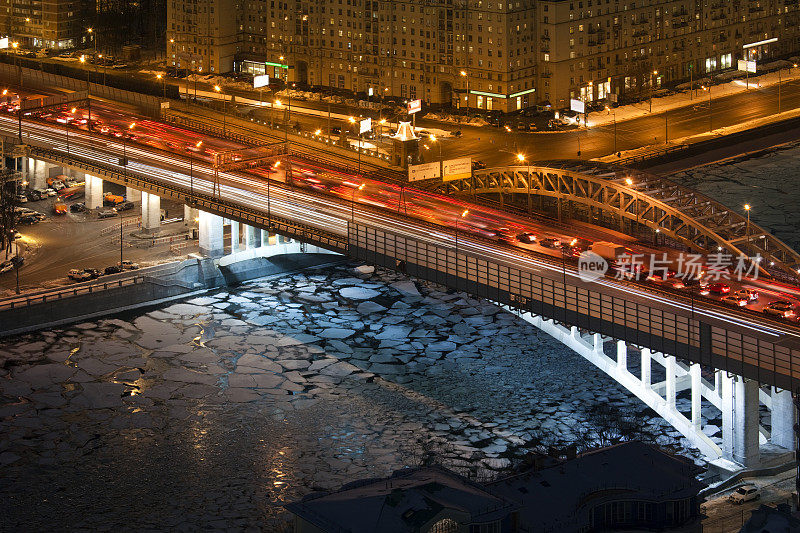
(202, 35)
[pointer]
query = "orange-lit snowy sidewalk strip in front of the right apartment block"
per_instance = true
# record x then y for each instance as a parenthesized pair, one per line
(684, 99)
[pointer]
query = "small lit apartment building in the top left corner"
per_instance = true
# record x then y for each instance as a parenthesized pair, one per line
(45, 23)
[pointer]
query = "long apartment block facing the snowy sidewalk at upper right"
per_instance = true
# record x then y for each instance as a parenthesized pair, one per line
(588, 49)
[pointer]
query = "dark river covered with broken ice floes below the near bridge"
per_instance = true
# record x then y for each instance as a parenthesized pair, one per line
(219, 409)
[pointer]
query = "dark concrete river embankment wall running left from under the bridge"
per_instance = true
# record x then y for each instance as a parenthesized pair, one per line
(141, 289)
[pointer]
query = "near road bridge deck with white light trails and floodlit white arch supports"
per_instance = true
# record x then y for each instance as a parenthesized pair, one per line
(753, 353)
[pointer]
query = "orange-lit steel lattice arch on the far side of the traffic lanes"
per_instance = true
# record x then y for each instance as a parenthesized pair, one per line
(677, 212)
